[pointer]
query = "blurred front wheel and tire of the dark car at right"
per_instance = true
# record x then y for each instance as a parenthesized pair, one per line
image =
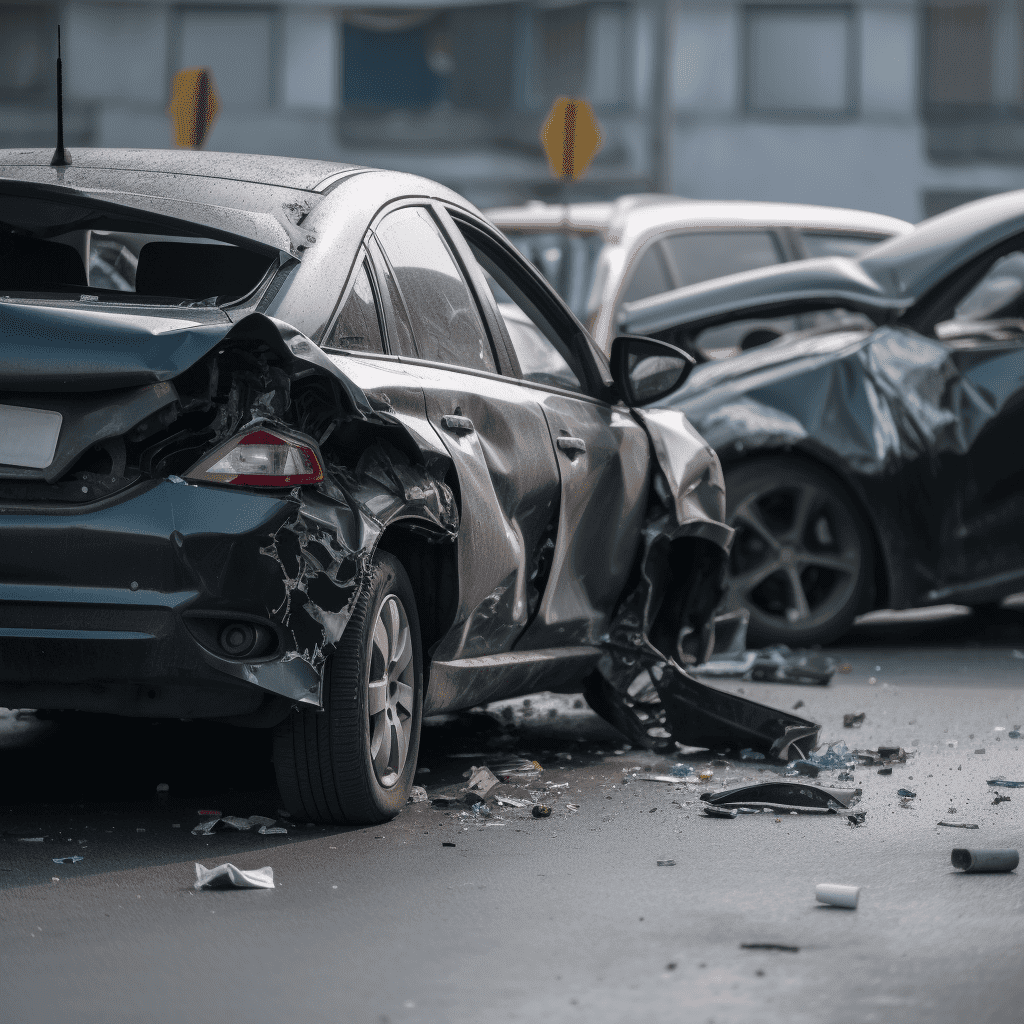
(801, 560)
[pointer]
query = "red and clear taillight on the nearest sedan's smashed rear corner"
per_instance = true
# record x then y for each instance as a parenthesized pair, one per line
(261, 459)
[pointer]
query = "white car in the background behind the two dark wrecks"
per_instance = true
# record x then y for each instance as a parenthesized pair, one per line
(604, 258)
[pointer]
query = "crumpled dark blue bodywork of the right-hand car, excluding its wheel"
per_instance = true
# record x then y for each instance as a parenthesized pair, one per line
(920, 418)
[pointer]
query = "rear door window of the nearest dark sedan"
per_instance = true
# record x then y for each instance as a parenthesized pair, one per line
(446, 321)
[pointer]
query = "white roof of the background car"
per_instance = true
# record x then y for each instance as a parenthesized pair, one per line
(637, 216)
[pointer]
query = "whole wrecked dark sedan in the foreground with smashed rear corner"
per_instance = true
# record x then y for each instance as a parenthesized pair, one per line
(307, 447)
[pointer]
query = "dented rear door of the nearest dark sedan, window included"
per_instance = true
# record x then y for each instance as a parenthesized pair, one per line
(496, 437)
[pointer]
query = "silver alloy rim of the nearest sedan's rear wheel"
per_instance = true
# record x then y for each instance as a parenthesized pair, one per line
(391, 692)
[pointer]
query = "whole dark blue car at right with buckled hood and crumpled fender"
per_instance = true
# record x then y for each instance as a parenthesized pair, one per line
(872, 466)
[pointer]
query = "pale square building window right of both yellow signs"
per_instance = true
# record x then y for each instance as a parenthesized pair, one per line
(800, 61)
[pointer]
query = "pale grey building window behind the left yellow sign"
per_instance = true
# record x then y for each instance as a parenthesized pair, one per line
(236, 47)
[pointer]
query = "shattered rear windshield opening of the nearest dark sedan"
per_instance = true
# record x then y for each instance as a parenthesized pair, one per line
(61, 250)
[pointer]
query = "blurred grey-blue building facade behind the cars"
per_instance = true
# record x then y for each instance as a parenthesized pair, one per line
(890, 106)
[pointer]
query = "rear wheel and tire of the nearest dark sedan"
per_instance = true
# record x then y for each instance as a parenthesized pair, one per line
(354, 762)
